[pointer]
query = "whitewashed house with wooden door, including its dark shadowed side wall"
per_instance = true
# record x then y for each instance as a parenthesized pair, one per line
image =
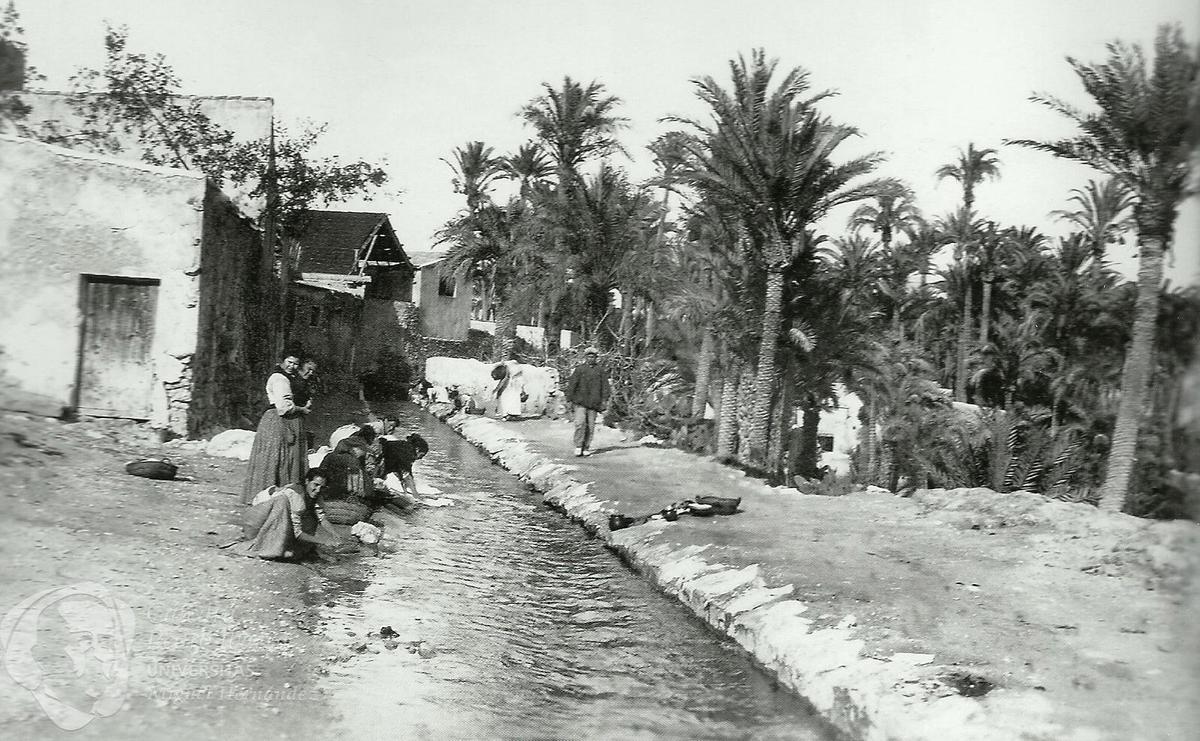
(129, 292)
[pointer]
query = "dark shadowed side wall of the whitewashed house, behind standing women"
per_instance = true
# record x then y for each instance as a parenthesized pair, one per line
(235, 352)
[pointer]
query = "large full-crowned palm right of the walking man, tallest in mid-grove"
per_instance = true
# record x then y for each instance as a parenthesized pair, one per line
(767, 156)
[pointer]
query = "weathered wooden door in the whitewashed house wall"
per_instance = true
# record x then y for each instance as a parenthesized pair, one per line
(116, 365)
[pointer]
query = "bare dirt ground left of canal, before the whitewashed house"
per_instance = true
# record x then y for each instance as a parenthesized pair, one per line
(219, 642)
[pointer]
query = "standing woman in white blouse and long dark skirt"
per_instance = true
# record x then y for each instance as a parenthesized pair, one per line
(279, 456)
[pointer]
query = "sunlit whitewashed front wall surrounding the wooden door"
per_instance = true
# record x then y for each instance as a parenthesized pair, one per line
(65, 214)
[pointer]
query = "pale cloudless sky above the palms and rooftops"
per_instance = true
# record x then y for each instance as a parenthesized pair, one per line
(406, 82)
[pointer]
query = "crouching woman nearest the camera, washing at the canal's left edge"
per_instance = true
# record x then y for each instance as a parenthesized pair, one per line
(286, 522)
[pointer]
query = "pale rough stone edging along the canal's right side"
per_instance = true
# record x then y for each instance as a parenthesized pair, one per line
(825, 666)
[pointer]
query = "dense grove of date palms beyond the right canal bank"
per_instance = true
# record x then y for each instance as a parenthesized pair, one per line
(730, 296)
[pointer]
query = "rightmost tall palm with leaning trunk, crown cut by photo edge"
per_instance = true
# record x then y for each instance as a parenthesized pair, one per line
(1143, 135)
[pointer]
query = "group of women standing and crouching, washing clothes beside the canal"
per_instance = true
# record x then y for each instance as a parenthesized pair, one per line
(285, 519)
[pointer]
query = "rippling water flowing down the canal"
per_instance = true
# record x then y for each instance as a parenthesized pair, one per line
(513, 623)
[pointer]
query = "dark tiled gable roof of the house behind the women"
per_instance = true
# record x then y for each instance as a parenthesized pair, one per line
(332, 242)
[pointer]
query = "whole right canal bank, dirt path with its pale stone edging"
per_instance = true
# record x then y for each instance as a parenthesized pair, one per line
(959, 615)
